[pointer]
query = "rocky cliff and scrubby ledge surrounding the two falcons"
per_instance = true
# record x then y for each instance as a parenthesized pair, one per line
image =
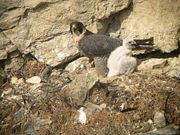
(40, 92)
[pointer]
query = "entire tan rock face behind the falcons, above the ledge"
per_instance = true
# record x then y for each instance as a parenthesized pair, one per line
(41, 27)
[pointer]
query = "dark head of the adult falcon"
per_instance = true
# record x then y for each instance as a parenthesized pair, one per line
(77, 28)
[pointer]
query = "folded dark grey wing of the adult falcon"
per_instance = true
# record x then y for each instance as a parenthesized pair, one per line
(98, 45)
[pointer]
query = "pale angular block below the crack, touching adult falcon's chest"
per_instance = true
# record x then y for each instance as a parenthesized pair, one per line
(57, 53)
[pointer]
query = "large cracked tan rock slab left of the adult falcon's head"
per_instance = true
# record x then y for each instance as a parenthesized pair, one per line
(41, 27)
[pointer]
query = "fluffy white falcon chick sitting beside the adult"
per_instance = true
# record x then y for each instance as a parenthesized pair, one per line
(120, 60)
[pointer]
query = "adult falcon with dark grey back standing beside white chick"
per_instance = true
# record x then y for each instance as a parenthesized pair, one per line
(95, 46)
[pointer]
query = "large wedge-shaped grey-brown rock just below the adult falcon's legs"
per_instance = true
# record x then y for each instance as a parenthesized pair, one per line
(77, 91)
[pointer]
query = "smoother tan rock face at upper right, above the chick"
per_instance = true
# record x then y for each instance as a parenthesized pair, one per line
(151, 18)
